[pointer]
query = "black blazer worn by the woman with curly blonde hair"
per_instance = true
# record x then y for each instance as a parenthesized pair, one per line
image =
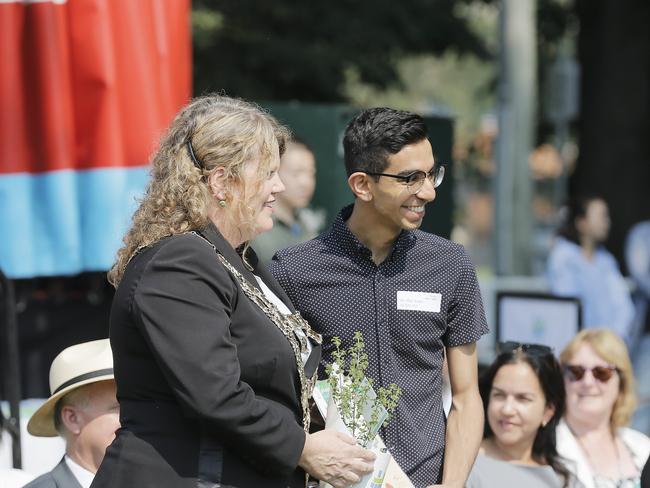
(208, 386)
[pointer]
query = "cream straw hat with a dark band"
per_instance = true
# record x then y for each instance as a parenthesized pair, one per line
(75, 366)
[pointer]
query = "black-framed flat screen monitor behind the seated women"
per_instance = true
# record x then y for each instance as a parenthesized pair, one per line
(537, 318)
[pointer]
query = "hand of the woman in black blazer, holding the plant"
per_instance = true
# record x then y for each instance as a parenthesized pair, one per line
(335, 458)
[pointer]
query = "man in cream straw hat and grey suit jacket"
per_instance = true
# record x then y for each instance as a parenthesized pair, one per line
(83, 410)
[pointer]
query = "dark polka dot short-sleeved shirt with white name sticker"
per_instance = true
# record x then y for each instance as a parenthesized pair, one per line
(422, 298)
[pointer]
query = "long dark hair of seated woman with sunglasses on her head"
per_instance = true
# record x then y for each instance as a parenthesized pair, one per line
(549, 373)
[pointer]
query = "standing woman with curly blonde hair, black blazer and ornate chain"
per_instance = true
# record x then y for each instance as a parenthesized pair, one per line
(213, 365)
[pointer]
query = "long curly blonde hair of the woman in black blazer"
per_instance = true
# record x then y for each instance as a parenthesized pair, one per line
(224, 133)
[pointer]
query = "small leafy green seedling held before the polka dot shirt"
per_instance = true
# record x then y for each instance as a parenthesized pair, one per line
(361, 409)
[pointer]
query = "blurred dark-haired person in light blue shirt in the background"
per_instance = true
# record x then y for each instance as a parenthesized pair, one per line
(580, 266)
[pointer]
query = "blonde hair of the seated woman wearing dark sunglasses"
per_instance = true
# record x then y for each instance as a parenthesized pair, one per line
(612, 349)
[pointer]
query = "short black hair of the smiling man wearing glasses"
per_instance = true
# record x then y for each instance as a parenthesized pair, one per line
(373, 135)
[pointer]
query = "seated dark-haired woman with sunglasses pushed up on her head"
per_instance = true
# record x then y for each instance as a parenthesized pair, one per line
(523, 397)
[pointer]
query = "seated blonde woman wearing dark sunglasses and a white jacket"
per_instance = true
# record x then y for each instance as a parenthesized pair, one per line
(599, 382)
